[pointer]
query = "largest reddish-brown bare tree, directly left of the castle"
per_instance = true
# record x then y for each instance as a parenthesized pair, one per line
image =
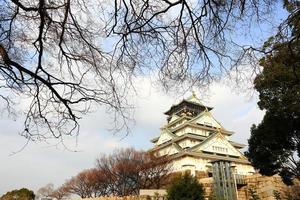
(128, 170)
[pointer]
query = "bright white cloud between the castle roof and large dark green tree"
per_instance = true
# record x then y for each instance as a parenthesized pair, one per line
(235, 111)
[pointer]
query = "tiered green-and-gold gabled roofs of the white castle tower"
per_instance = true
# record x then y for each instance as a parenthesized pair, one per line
(192, 114)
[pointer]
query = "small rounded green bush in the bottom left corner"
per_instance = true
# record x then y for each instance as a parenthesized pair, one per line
(21, 194)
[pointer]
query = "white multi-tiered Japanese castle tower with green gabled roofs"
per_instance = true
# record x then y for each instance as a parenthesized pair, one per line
(193, 139)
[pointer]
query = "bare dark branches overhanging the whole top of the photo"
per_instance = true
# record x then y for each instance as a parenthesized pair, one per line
(66, 55)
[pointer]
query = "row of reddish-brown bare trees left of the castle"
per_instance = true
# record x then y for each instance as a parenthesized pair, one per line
(121, 173)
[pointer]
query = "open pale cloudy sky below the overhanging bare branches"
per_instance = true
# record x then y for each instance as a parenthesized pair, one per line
(40, 164)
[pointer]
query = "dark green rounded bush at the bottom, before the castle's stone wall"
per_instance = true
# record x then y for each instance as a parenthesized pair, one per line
(185, 187)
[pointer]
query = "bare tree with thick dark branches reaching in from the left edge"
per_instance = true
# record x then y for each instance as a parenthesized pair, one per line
(51, 52)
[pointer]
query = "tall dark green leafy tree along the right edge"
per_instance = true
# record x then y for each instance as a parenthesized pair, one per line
(274, 145)
